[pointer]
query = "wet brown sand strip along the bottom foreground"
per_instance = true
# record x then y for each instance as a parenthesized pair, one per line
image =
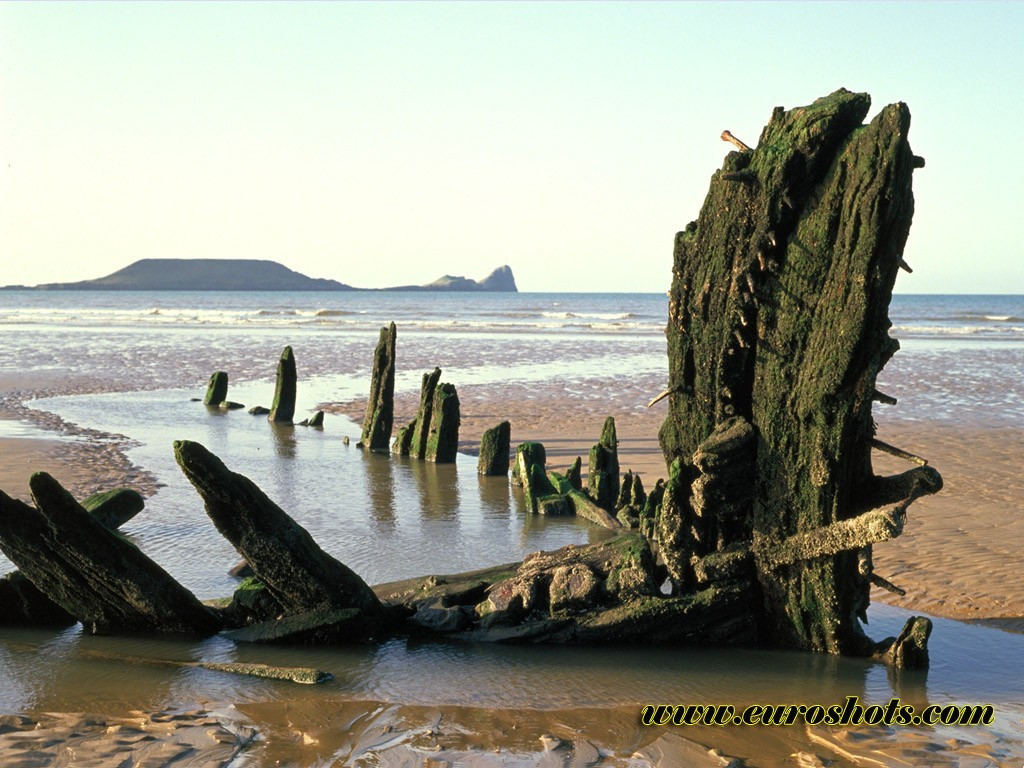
(369, 734)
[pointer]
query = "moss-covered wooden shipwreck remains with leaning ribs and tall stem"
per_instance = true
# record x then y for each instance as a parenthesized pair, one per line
(763, 532)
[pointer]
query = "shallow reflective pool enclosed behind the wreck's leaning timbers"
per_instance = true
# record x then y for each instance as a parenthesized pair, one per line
(386, 518)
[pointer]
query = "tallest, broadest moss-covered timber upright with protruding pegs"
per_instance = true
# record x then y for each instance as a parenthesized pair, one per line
(778, 329)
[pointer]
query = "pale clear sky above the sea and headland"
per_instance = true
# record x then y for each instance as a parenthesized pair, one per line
(378, 144)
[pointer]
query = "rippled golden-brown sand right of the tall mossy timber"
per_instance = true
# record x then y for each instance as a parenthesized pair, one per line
(960, 556)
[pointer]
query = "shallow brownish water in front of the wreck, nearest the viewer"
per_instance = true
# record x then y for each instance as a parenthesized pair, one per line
(485, 693)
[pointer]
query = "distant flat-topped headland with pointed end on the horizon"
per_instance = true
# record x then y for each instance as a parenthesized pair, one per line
(250, 275)
